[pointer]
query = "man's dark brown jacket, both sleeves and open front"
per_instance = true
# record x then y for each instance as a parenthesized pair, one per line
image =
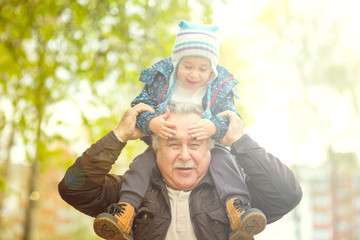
(88, 187)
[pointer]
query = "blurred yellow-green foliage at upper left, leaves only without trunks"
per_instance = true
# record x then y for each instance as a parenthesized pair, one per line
(50, 48)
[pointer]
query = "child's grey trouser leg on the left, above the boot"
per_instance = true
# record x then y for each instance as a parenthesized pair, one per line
(137, 178)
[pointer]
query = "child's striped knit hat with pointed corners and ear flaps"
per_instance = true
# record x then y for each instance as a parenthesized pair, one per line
(196, 39)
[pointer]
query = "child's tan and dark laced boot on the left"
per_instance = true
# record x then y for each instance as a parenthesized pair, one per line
(116, 224)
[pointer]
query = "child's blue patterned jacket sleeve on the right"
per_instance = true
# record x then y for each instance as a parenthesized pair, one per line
(222, 123)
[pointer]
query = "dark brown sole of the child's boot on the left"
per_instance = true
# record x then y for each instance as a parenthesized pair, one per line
(108, 229)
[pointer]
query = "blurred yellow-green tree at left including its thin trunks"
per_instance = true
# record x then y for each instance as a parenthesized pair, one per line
(57, 51)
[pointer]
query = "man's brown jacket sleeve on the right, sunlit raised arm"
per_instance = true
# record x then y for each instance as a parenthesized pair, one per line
(272, 185)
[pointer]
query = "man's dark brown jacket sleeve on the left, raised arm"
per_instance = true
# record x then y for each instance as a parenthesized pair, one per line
(87, 184)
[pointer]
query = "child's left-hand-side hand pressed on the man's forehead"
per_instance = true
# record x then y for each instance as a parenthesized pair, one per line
(161, 127)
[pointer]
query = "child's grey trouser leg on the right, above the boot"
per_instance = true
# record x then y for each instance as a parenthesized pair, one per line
(228, 177)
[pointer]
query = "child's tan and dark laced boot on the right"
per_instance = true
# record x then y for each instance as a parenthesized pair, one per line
(245, 221)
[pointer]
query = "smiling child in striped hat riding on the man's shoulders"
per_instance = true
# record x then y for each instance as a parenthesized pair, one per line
(191, 74)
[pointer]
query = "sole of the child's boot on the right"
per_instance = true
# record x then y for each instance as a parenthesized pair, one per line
(250, 225)
